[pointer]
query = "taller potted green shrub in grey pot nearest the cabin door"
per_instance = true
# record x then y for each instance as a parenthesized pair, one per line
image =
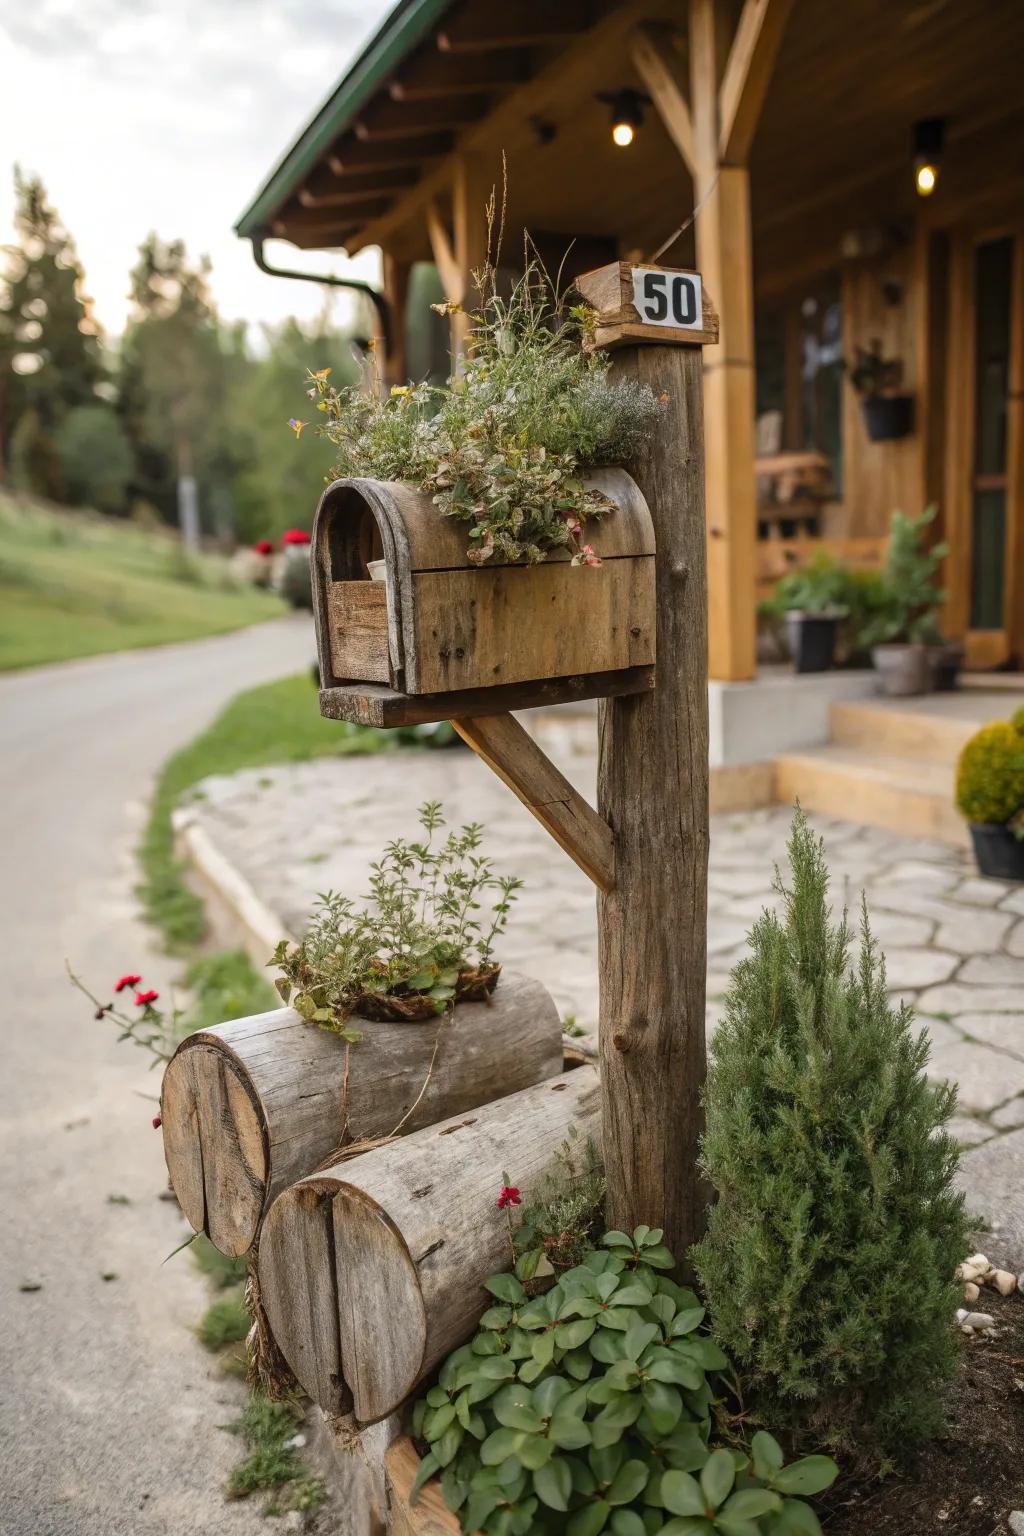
(903, 629)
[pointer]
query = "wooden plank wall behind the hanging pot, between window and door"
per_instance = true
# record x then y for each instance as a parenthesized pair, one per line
(882, 477)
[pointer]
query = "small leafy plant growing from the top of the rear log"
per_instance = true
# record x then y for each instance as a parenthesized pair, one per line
(421, 945)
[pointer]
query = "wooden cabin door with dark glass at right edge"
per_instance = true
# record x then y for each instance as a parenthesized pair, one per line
(986, 446)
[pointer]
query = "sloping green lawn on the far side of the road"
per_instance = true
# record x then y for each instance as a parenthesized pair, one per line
(74, 584)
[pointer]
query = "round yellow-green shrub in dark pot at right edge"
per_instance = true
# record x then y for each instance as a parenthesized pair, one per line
(991, 796)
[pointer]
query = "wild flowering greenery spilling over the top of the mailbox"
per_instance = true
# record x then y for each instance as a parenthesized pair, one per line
(501, 448)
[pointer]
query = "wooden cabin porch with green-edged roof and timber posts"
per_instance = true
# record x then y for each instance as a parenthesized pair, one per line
(773, 141)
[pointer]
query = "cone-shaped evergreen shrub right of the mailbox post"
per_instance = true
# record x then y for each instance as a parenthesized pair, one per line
(830, 1256)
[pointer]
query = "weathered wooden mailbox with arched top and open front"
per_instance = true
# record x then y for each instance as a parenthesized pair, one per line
(440, 629)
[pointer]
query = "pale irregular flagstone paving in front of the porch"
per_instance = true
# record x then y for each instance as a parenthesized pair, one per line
(954, 942)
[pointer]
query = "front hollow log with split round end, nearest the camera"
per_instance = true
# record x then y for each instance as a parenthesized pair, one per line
(374, 1271)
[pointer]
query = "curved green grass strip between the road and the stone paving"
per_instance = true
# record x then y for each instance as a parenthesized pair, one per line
(277, 723)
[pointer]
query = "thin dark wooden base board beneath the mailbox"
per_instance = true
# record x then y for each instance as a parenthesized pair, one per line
(371, 704)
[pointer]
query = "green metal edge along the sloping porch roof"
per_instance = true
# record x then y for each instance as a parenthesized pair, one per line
(400, 33)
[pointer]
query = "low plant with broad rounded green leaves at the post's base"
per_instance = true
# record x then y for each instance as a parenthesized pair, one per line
(589, 1409)
